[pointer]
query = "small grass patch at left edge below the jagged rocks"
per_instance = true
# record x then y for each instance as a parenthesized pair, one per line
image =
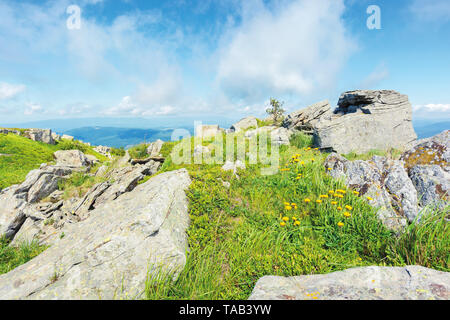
(11, 257)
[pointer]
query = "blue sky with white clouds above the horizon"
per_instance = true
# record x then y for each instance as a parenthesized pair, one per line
(216, 58)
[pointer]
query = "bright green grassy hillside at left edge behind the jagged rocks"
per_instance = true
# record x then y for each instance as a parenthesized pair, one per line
(23, 155)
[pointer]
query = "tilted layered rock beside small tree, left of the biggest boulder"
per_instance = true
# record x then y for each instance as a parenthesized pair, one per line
(307, 118)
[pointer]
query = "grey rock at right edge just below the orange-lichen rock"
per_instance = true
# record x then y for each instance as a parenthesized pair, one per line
(432, 184)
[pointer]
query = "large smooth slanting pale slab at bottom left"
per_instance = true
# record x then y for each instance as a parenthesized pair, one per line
(112, 253)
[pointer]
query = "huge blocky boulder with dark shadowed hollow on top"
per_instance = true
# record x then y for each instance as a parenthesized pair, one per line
(366, 120)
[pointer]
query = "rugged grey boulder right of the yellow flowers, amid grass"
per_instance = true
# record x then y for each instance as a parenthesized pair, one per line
(382, 180)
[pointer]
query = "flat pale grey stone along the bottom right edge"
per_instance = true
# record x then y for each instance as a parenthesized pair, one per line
(364, 283)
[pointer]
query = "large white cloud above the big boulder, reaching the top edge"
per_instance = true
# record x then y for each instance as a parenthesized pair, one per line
(296, 48)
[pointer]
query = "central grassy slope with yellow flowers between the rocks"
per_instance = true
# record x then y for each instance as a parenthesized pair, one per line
(236, 236)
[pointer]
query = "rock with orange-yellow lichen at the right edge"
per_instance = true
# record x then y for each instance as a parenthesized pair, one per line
(430, 151)
